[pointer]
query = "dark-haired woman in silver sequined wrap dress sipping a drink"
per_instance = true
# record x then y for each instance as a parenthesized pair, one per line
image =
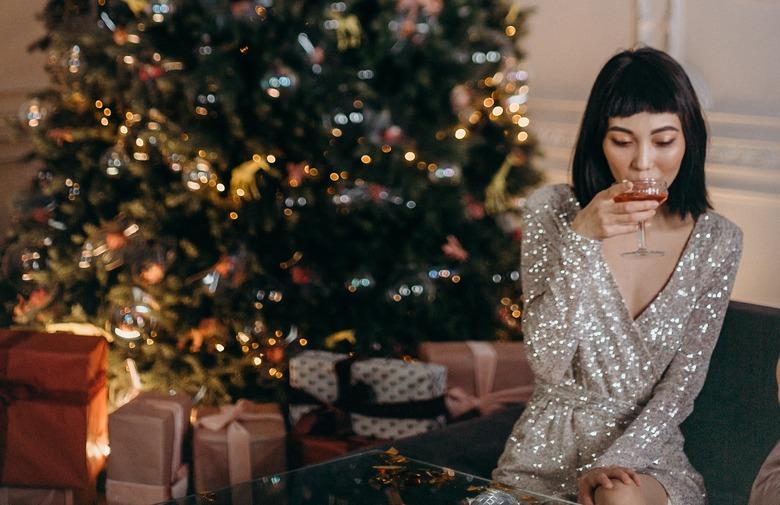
(620, 345)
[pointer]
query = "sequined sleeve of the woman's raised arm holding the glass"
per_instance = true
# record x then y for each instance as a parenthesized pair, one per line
(556, 267)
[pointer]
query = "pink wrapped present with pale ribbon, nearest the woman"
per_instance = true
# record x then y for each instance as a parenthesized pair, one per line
(482, 376)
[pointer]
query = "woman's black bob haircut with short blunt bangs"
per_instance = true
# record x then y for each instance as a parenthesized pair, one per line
(634, 81)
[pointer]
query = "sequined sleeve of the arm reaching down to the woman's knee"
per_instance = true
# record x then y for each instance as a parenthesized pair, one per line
(672, 400)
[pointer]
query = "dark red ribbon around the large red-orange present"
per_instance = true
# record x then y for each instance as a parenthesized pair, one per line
(13, 390)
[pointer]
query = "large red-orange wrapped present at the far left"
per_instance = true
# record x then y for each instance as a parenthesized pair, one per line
(53, 387)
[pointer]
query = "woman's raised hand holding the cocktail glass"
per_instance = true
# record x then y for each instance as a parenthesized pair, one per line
(603, 218)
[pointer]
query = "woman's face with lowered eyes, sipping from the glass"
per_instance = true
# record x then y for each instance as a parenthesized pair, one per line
(646, 145)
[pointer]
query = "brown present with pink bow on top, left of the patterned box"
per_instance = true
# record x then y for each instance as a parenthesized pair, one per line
(238, 443)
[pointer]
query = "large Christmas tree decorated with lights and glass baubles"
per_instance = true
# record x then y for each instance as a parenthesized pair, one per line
(226, 183)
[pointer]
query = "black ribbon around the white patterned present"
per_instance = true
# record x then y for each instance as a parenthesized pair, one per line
(356, 398)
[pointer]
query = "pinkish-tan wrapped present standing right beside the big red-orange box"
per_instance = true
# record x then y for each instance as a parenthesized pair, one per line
(147, 435)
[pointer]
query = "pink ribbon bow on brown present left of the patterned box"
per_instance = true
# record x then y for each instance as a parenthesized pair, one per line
(238, 438)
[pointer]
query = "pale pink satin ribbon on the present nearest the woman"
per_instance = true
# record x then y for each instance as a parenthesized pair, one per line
(486, 401)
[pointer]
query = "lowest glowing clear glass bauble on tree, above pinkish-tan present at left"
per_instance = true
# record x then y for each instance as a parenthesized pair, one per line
(135, 317)
